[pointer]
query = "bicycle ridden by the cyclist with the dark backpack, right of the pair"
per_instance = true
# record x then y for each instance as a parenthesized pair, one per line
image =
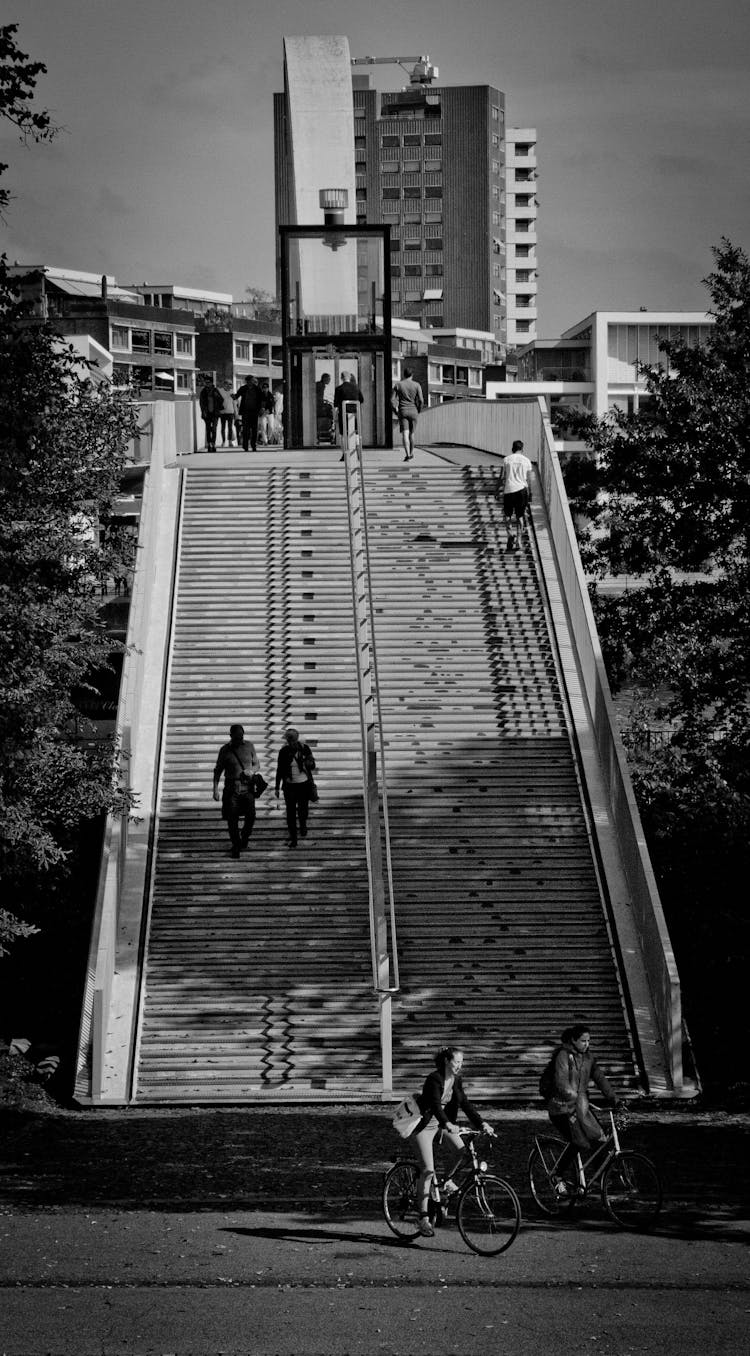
(630, 1184)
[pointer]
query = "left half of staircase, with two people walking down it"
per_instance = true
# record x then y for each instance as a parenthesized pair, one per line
(258, 976)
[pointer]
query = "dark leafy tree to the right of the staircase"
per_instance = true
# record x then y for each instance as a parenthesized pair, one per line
(667, 500)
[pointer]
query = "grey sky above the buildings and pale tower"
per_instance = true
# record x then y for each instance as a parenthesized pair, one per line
(165, 167)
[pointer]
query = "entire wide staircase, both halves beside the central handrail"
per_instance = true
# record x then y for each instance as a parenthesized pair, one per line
(257, 978)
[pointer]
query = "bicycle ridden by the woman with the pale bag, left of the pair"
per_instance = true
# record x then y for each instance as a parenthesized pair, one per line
(488, 1209)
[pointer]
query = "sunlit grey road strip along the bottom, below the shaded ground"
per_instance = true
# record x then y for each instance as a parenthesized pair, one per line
(322, 1285)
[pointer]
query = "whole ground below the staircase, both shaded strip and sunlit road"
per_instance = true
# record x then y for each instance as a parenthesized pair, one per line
(150, 1232)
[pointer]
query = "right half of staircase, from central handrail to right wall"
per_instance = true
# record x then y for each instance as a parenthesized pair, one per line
(502, 932)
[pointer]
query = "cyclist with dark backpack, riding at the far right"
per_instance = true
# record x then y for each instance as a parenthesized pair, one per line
(565, 1088)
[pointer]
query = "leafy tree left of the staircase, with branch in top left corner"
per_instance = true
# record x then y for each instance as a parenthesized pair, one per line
(63, 447)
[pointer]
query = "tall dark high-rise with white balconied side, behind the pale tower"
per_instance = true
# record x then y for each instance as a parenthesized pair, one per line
(459, 192)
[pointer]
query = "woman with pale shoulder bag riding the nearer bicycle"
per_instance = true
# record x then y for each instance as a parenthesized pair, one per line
(441, 1100)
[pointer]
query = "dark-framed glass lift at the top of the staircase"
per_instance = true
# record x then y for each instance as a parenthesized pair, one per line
(336, 294)
